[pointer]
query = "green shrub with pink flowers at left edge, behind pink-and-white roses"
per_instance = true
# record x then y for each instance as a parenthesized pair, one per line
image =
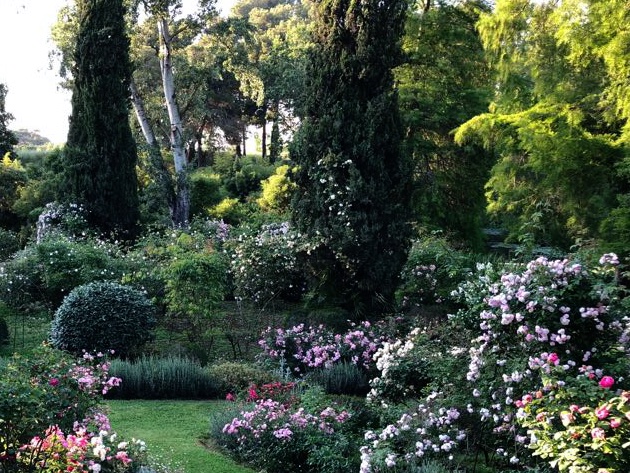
(49, 388)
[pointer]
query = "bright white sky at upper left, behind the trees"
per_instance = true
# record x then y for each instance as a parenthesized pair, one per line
(34, 97)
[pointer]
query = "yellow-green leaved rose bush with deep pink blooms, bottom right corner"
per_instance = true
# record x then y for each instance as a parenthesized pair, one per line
(579, 424)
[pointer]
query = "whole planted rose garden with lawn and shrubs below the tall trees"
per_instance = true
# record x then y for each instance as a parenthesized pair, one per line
(489, 364)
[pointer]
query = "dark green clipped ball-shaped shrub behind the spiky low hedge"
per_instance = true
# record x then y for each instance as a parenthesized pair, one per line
(103, 316)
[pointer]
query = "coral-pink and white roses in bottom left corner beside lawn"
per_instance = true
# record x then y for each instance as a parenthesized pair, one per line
(91, 447)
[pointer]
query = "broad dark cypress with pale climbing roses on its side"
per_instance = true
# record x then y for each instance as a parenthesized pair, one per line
(353, 180)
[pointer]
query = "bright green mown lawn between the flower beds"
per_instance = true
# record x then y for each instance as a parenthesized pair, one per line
(172, 431)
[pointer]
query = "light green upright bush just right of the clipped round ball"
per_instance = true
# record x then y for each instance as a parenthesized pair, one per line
(185, 273)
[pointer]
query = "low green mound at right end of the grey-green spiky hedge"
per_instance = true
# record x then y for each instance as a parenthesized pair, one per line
(234, 377)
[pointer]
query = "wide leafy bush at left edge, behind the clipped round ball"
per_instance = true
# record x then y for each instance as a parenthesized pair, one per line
(42, 274)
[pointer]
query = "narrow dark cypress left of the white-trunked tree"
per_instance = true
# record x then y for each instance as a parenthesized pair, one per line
(100, 154)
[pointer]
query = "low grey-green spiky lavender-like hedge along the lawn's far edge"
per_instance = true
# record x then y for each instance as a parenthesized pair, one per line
(172, 377)
